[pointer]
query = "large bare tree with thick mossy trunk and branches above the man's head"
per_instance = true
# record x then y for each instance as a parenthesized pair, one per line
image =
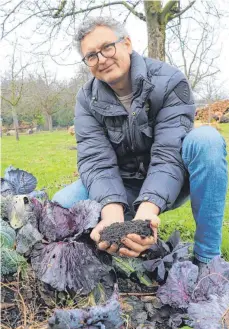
(53, 17)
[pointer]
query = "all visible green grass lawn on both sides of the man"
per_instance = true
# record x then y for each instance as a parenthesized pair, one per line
(48, 157)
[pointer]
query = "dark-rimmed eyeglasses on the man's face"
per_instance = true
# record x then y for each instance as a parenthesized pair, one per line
(107, 51)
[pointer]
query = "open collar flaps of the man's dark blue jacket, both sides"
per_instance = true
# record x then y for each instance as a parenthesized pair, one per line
(104, 96)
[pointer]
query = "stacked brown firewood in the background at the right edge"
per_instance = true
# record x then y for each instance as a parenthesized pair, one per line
(213, 112)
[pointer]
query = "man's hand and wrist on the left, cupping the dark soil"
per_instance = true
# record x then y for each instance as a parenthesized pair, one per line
(111, 213)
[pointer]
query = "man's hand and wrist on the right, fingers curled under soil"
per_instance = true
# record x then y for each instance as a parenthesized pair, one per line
(136, 244)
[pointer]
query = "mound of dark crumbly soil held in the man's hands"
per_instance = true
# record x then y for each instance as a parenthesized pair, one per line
(115, 232)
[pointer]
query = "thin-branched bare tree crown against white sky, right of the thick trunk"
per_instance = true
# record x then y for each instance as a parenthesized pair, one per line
(190, 47)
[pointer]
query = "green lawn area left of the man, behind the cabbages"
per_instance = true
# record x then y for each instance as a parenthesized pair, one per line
(46, 155)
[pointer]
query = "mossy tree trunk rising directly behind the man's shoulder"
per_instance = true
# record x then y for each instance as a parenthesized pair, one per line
(156, 29)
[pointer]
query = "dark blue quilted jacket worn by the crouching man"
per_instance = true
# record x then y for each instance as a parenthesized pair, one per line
(145, 143)
